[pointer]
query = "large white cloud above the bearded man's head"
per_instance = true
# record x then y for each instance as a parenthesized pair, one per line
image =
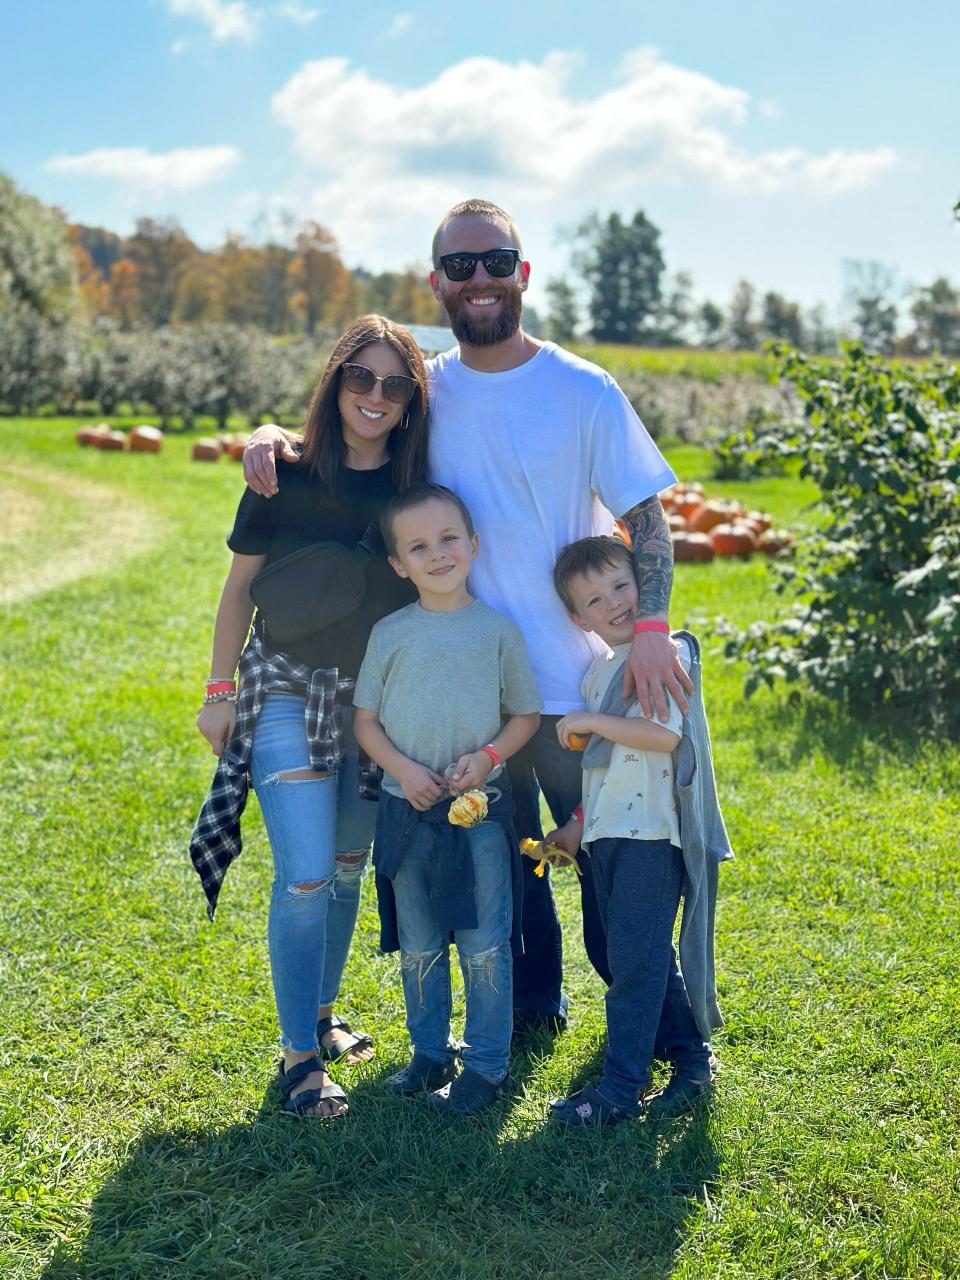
(520, 134)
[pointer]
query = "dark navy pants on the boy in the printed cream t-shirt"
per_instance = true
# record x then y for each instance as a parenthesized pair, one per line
(638, 888)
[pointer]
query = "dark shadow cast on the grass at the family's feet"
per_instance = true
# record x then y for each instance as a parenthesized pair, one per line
(397, 1192)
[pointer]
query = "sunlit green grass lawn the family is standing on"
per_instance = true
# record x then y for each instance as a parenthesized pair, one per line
(138, 1132)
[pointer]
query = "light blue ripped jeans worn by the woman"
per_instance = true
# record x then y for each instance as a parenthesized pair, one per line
(312, 824)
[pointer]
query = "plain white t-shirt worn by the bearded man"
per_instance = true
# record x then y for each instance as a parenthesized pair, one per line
(542, 455)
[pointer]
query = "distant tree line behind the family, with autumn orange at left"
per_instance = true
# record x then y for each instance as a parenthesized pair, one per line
(89, 317)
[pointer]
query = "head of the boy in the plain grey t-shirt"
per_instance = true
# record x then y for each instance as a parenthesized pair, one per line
(436, 552)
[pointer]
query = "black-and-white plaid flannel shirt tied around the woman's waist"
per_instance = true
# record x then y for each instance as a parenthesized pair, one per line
(217, 834)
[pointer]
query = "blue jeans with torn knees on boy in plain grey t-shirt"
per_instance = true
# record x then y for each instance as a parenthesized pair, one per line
(486, 958)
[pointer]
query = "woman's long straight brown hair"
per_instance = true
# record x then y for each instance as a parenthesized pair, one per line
(324, 449)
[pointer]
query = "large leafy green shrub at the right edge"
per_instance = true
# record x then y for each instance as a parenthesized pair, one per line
(875, 614)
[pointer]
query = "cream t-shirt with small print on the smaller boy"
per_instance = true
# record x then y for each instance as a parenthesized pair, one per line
(633, 798)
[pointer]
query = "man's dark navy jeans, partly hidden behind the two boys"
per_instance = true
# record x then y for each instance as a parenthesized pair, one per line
(538, 973)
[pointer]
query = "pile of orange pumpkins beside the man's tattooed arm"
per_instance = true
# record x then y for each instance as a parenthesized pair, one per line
(702, 528)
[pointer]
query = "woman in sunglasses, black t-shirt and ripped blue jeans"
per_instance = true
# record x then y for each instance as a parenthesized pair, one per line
(290, 720)
